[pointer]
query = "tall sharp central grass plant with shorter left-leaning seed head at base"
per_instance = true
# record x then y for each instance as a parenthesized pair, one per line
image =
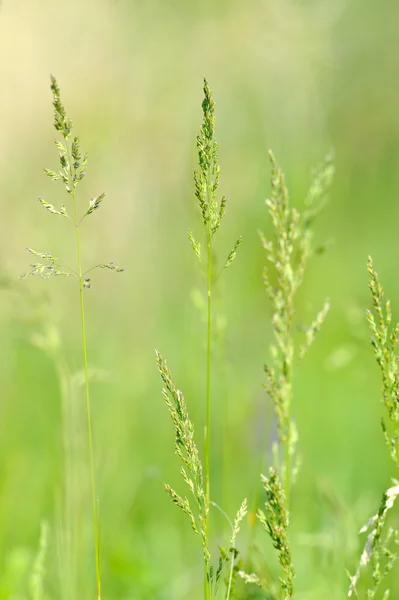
(198, 477)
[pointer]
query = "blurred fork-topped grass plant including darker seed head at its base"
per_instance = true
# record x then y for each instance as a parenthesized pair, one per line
(287, 256)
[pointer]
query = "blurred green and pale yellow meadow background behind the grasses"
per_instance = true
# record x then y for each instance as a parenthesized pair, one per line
(300, 77)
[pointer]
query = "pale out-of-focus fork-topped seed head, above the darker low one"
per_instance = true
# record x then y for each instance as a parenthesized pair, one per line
(287, 257)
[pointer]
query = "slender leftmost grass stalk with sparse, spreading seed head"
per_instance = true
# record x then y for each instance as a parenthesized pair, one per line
(72, 171)
